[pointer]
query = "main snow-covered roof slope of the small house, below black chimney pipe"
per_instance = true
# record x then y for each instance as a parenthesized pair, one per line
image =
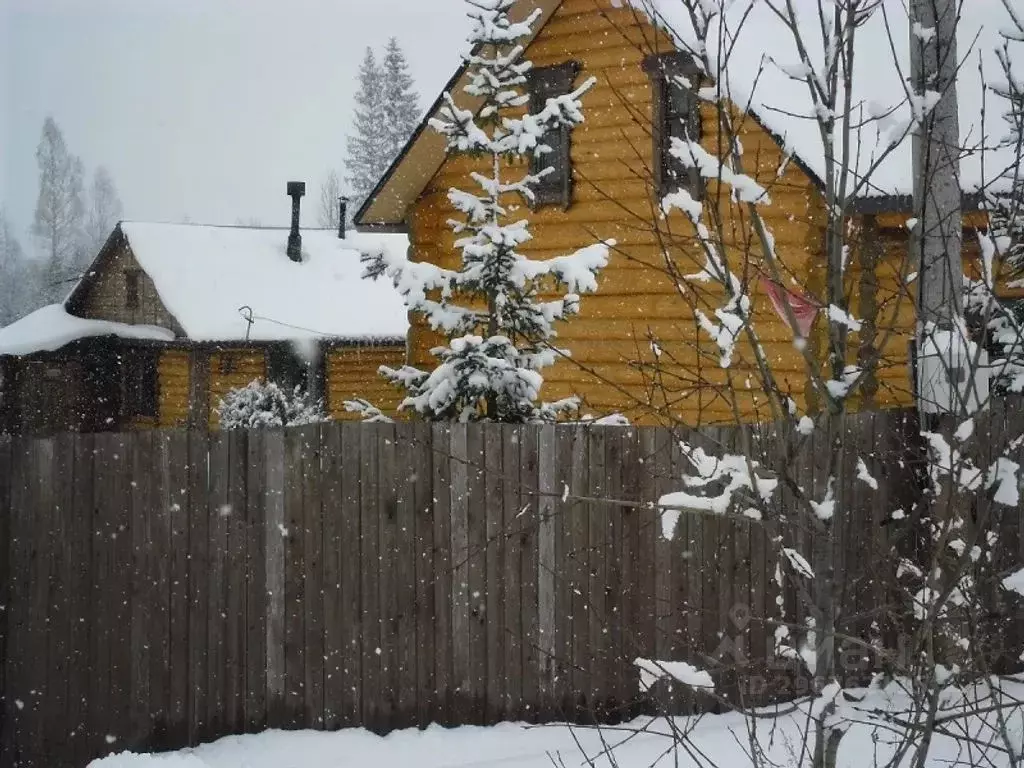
(206, 275)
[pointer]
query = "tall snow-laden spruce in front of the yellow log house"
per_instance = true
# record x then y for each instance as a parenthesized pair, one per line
(493, 309)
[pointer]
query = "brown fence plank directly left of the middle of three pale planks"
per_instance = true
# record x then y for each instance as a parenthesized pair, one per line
(441, 436)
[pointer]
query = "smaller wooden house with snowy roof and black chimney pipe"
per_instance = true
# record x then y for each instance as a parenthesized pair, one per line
(170, 318)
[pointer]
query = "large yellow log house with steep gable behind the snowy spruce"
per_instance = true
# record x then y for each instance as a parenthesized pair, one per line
(611, 176)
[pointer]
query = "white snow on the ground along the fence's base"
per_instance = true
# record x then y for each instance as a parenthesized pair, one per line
(719, 740)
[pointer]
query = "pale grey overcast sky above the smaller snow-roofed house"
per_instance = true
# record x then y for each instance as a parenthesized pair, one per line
(201, 109)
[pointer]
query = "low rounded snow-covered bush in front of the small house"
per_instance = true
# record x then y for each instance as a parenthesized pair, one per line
(263, 405)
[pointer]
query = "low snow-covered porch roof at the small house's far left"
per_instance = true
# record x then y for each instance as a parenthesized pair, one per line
(52, 327)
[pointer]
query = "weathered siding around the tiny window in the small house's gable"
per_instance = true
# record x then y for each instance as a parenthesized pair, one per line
(107, 297)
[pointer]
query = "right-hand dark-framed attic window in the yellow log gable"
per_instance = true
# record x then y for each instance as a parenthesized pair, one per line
(674, 78)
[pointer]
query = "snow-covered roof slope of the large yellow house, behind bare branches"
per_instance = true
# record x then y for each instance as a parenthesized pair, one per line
(764, 52)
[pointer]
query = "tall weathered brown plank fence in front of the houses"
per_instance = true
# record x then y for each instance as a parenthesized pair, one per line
(162, 589)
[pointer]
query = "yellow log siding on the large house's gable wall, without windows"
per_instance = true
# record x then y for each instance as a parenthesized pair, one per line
(612, 154)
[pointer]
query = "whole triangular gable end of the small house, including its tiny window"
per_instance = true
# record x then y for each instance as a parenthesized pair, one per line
(116, 288)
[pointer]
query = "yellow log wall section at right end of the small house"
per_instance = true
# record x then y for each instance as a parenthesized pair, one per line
(353, 373)
